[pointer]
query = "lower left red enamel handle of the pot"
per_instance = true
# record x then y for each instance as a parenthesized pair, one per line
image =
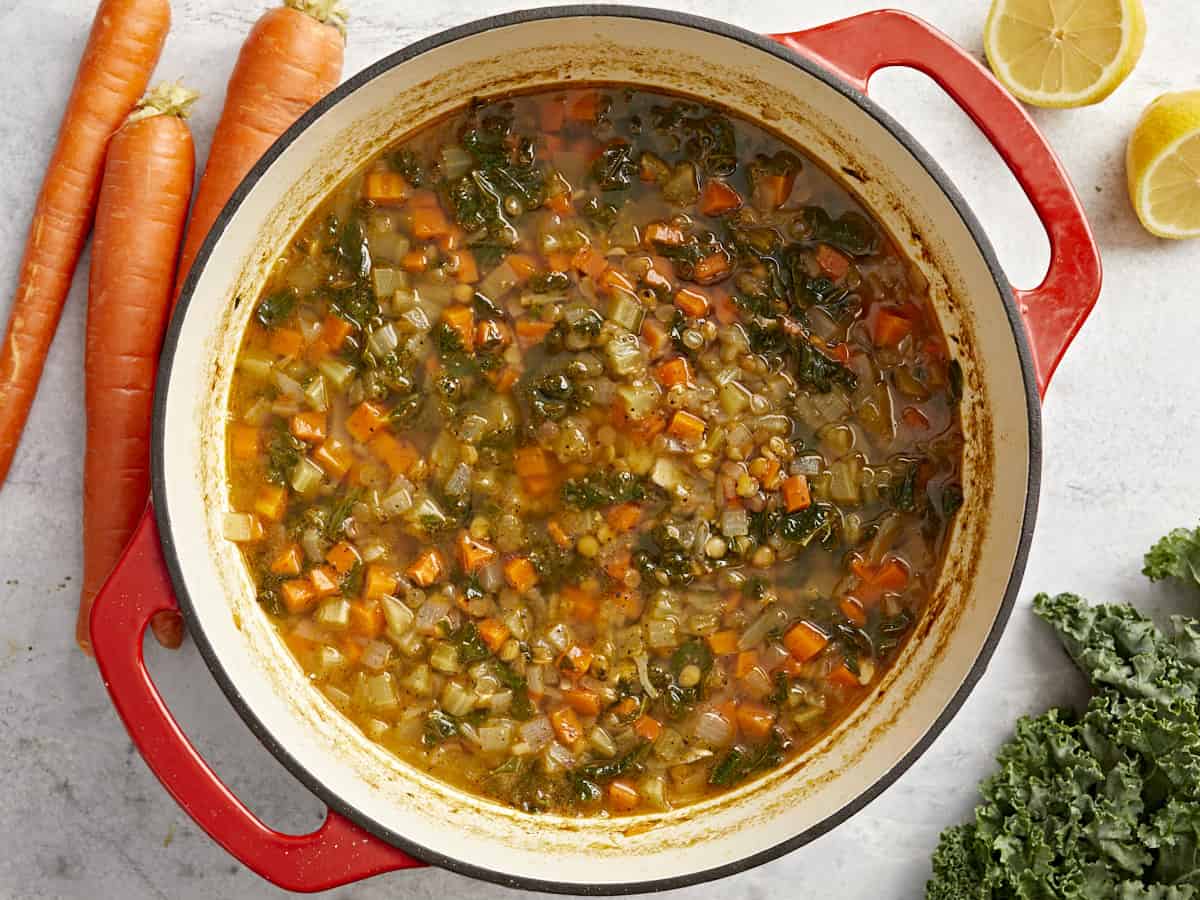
(337, 854)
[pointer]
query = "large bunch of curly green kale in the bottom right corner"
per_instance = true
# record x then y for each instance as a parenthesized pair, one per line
(1100, 806)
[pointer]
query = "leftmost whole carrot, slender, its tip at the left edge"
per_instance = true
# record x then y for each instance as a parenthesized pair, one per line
(122, 52)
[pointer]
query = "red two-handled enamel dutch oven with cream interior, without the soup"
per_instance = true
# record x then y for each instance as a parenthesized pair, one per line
(811, 87)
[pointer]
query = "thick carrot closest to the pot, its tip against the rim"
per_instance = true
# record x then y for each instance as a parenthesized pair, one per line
(291, 59)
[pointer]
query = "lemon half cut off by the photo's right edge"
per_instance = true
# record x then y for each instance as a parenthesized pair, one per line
(1163, 166)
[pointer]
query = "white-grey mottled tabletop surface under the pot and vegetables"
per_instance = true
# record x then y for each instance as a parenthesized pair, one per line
(81, 817)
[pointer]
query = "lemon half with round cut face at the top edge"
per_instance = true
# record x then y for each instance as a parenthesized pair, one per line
(1064, 53)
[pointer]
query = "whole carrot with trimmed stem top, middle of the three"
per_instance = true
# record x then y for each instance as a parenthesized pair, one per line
(141, 214)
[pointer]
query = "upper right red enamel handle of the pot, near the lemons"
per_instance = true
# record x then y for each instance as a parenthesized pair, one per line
(859, 47)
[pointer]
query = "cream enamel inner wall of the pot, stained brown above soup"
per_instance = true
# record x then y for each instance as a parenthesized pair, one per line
(766, 813)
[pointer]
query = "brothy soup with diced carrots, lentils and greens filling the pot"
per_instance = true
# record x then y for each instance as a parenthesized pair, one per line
(593, 451)
